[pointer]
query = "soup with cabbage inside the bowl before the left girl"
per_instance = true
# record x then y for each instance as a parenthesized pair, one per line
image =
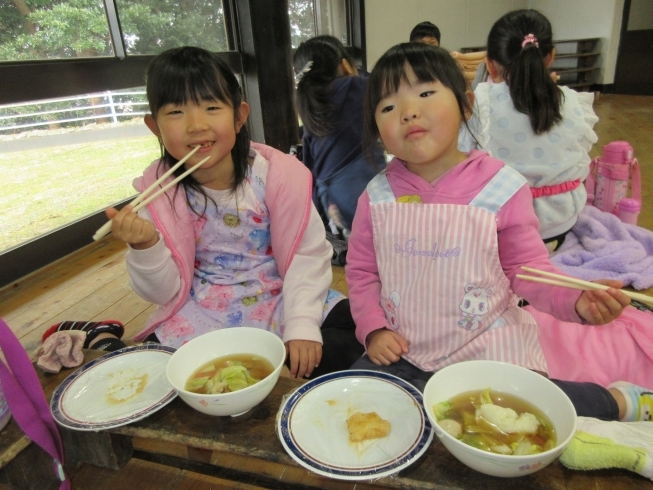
(229, 373)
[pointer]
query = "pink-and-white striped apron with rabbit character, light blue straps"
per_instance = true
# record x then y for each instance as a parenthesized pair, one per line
(443, 288)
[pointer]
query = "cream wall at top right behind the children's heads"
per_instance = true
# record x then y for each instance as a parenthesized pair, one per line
(467, 23)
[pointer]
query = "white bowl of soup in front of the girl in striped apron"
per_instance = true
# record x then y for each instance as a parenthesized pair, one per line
(497, 418)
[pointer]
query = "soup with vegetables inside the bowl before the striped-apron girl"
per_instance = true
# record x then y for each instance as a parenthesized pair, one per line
(478, 418)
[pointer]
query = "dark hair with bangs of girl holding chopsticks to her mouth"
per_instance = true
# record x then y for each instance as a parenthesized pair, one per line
(191, 74)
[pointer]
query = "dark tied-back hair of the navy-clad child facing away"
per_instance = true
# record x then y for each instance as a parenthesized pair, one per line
(312, 96)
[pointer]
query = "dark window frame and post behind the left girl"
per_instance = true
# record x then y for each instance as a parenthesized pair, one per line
(262, 56)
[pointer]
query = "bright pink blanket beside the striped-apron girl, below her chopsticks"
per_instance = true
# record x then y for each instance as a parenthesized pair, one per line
(619, 351)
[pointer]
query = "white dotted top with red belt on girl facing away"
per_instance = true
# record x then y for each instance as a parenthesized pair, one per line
(551, 161)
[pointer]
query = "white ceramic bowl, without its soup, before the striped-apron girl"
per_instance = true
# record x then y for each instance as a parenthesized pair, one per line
(507, 378)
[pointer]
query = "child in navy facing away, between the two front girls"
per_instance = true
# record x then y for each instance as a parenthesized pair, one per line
(329, 100)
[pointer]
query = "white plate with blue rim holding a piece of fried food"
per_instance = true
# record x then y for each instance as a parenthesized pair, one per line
(355, 425)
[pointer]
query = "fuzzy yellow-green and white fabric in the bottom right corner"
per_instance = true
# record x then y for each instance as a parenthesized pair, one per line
(599, 444)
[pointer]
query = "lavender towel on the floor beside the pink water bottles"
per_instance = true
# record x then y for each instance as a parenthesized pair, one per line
(600, 246)
